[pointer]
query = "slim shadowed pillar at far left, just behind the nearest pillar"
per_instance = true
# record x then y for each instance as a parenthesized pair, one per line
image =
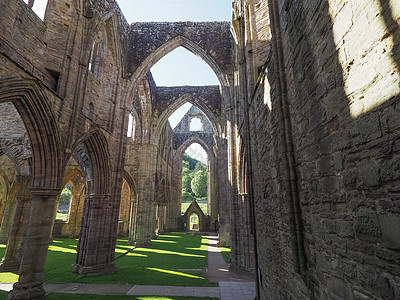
(13, 253)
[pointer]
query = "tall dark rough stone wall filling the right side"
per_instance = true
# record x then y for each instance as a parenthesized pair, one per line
(324, 148)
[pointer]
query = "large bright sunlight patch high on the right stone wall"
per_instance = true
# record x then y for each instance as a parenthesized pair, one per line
(371, 76)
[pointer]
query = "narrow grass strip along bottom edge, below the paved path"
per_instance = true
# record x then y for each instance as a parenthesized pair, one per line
(59, 296)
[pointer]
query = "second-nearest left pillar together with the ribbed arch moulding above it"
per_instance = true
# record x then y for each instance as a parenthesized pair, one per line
(93, 158)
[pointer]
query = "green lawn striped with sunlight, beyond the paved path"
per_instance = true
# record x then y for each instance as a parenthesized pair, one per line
(169, 261)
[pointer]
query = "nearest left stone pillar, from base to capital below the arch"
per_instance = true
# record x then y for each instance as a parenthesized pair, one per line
(30, 283)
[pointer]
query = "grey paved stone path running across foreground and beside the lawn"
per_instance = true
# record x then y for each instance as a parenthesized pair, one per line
(232, 286)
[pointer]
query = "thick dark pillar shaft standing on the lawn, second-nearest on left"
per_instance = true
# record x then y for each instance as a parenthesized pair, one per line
(93, 255)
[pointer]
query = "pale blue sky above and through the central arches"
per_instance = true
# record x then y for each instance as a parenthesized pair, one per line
(180, 67)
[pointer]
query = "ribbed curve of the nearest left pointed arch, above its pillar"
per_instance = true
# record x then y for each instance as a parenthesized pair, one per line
(40, 123)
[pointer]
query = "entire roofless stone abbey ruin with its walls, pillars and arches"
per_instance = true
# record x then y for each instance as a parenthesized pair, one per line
(302, 136)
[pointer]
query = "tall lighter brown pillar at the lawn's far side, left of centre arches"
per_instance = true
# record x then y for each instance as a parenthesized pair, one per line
(144, 227)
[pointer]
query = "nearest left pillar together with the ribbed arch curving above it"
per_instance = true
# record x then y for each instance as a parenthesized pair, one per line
(47, 156)
